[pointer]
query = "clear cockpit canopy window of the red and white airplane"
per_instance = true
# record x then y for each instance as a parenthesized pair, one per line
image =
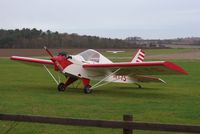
(90, 55)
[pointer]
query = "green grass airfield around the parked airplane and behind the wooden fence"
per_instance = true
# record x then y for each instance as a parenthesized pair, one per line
(29, 90)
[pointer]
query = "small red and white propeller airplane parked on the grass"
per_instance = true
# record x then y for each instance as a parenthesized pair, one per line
(91, 65)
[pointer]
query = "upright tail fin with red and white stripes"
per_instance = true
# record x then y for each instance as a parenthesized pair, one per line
(138, 57)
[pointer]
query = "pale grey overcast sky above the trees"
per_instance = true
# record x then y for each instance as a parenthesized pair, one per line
(105, 18)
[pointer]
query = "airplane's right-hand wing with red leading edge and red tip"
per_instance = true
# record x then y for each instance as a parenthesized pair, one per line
(132, 69)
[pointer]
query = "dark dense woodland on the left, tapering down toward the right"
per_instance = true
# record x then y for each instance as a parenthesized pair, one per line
(33, 38)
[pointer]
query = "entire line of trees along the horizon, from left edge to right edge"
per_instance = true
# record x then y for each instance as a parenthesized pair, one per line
(33, 38)
